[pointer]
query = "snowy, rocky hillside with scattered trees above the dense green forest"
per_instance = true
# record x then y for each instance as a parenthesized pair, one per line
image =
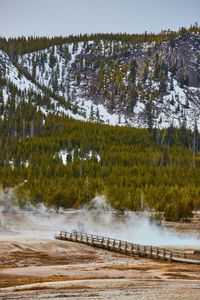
(117, 83)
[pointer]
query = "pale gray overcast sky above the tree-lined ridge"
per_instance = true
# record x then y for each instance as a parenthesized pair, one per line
(64, 17)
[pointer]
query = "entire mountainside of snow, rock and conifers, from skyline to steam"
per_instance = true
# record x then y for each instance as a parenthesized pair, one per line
(147, 81)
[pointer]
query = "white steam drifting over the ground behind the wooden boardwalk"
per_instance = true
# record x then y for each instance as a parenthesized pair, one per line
(97, 218)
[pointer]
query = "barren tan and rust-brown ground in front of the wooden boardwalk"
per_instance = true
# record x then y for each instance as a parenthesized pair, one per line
(37, 268)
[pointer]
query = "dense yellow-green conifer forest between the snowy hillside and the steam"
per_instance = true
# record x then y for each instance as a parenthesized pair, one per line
(66, 162)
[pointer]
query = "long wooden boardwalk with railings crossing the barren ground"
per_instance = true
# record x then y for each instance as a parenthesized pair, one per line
(128, 248)
